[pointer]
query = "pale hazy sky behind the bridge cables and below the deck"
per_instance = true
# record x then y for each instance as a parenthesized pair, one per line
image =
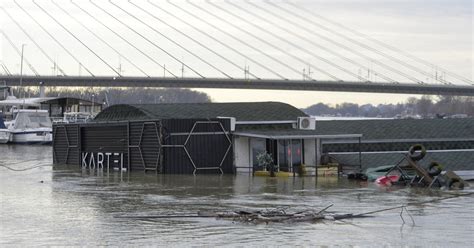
(438, 31)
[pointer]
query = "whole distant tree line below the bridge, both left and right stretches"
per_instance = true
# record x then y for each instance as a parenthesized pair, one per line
(426, 106)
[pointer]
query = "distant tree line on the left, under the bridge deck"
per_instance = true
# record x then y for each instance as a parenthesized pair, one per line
(119, 95)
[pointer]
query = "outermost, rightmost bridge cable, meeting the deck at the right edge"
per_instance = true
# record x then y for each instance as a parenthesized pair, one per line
(385, 45)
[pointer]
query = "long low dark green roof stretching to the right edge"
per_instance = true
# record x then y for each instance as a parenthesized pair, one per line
(374, 130)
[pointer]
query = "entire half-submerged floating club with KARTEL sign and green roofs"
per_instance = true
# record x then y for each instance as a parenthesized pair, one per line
(227, 138)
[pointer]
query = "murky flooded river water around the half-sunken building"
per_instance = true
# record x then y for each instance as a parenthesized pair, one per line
(58, 206)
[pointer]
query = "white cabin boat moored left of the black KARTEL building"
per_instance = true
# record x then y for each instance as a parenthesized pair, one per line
(30, 126)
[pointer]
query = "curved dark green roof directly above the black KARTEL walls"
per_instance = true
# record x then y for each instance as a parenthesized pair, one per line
(255, 111)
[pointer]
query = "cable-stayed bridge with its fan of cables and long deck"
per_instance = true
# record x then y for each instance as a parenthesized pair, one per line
(247, 44)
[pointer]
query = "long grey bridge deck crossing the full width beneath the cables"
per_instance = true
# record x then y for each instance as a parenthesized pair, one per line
(269, 84)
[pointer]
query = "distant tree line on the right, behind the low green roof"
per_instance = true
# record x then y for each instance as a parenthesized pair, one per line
(425, 107)
